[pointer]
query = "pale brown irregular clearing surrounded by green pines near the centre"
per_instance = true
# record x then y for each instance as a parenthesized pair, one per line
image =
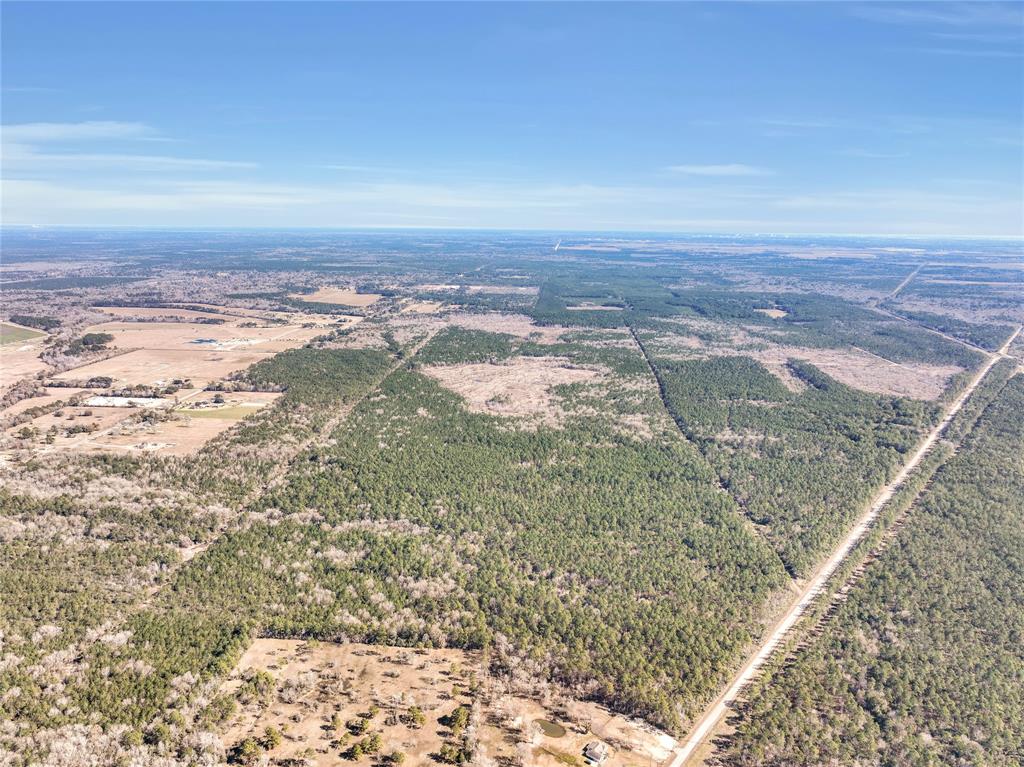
(522, 388)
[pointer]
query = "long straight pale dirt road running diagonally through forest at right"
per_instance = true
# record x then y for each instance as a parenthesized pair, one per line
(719, 709)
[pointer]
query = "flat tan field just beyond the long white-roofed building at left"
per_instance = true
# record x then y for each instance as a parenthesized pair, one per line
(161, 367)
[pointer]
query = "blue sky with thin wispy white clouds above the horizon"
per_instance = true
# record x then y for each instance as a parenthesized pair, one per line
(868, 118)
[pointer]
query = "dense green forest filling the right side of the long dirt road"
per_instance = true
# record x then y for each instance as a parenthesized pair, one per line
(923, 664)
